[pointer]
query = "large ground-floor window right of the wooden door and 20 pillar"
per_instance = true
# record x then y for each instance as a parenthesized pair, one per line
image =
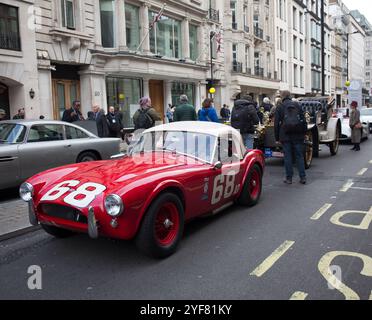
(124, 93)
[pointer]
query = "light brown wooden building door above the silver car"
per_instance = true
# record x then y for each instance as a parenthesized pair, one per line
(65, 92)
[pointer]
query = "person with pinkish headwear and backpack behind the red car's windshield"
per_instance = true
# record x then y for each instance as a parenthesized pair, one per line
(146, 116)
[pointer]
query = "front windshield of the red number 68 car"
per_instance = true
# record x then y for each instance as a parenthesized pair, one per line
(197, 145)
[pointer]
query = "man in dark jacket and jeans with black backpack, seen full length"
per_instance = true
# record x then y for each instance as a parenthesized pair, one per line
(290, 129)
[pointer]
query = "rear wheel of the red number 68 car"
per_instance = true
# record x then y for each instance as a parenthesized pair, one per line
(247, 197)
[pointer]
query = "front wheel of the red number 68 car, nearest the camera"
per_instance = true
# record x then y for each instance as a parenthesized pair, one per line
(147, 239)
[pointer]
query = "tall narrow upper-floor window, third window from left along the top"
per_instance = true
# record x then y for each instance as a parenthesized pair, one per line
(107, 23)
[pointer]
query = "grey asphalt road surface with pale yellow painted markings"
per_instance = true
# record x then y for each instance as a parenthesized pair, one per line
(271, 251)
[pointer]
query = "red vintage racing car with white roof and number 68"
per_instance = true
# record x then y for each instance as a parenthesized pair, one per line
(173, 173)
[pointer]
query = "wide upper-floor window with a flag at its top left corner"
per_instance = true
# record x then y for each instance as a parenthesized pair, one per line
(165, 37)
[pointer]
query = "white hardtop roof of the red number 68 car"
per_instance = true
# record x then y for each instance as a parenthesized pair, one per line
(204, 127)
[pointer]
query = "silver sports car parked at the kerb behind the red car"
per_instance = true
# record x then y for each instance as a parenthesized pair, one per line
(29, 147)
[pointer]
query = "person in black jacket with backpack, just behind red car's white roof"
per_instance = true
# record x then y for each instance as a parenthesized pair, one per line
(244, 118)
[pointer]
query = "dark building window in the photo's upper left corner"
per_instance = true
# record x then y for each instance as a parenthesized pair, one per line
(9, 28)
